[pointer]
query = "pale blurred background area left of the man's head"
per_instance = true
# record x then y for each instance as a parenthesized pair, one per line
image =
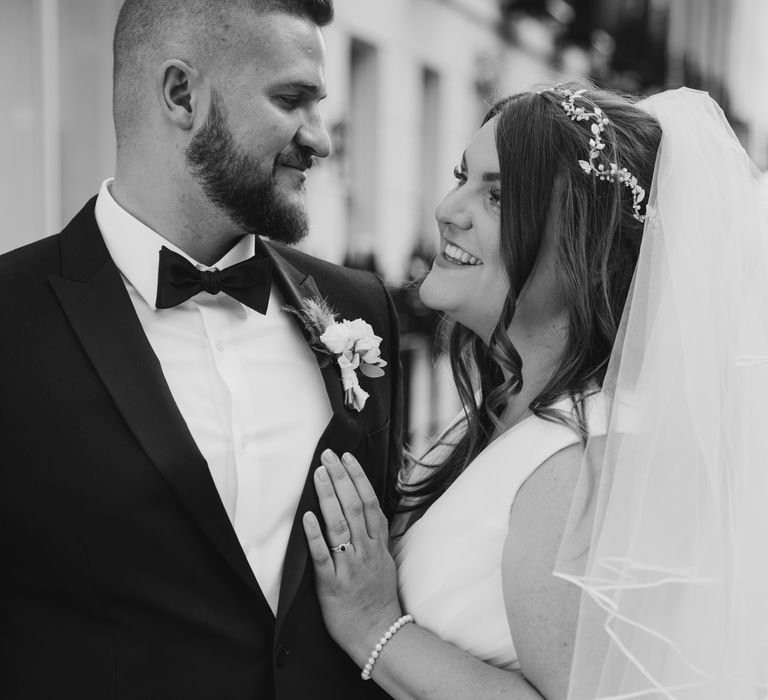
(55, 115)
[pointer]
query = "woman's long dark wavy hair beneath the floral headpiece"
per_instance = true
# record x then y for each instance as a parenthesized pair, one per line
(597, 247)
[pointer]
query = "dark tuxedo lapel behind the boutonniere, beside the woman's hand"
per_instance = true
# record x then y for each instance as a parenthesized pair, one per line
(343, 433)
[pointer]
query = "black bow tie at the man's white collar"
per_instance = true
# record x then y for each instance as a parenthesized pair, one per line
(178, 280)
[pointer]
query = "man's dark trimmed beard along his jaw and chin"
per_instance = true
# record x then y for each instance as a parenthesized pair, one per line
(239, 184)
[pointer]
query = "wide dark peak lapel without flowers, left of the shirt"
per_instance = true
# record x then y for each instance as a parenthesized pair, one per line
(94, 299)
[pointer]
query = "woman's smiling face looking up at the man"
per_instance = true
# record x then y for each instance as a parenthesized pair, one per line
(467, 281)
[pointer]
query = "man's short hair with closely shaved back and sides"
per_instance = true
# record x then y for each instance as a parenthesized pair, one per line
(144, 24)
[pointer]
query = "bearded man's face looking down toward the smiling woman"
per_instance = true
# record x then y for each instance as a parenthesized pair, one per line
(263, 129)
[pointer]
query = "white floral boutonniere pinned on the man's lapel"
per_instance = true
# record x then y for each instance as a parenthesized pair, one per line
(353, 344)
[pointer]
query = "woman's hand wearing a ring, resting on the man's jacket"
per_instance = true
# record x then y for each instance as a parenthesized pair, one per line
(356, 583)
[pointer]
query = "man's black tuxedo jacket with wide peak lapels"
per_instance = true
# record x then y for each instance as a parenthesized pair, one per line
(121, 574)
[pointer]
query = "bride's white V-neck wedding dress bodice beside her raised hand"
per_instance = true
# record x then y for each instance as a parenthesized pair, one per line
(449, 560)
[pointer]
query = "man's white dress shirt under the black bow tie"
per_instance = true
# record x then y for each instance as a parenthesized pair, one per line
(247, 385)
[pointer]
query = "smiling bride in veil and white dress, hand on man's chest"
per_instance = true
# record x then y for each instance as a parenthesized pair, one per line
(591, 525)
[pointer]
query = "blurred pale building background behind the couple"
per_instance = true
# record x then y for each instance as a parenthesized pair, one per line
(409, 81)
